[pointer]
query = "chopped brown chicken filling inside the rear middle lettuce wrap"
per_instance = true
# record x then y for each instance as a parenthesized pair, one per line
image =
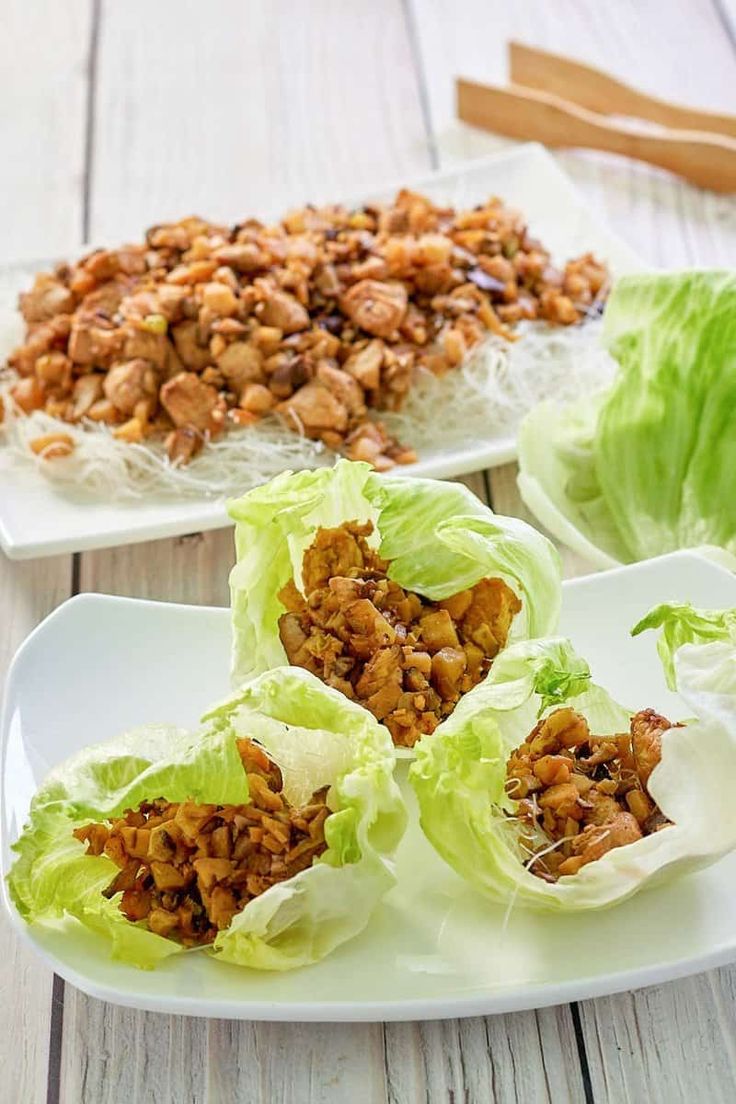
(404, 659)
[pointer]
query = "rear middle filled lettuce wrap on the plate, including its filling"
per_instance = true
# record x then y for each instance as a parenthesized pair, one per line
(398, 592)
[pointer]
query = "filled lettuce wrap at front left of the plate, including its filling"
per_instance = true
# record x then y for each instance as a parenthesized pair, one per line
(265, 840)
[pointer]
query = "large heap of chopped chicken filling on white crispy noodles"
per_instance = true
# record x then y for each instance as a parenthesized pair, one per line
(327, 315)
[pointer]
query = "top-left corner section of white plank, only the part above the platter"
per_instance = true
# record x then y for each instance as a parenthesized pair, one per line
(44, 57)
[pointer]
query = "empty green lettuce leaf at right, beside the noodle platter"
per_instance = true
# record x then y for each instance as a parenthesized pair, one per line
(650, 465)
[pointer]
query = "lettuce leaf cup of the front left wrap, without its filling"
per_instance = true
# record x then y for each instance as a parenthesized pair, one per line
(318, 738)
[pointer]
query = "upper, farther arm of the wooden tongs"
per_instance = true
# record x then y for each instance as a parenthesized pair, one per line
(595, 90)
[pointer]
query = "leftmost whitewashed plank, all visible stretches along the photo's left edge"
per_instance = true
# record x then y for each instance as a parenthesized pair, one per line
(44, 52)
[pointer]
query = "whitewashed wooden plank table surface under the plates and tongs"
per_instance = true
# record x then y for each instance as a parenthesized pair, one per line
(120, 115)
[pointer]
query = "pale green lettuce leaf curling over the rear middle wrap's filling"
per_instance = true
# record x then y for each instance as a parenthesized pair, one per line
(439, 536)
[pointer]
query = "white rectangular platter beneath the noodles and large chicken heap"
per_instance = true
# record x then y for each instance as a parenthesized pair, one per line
(39, 519)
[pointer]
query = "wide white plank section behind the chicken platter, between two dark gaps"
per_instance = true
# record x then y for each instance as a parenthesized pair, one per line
(252, 108)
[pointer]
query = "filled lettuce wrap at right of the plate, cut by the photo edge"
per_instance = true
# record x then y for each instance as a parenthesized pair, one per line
(542, 791)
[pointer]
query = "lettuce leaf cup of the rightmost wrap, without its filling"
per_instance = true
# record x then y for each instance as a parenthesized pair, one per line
(460, 777)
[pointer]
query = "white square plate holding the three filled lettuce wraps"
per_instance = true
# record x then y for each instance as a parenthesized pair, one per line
(434, 948)
